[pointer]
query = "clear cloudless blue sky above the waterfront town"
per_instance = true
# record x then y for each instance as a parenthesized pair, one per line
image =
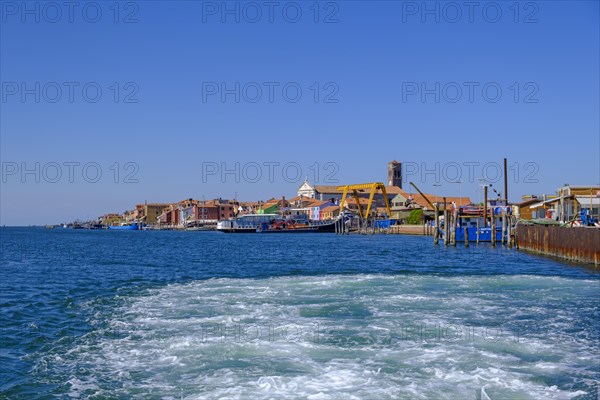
(187, 91)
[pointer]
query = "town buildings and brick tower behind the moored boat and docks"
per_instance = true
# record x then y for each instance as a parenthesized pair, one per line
(323, 203)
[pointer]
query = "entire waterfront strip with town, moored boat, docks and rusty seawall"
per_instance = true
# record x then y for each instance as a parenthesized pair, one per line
(536, 223)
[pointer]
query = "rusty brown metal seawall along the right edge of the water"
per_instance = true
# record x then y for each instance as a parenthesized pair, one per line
(577, 244)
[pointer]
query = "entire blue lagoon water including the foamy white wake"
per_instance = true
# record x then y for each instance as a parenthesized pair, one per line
(205, 315)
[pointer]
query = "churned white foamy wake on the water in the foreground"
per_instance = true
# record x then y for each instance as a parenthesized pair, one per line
(332, 337)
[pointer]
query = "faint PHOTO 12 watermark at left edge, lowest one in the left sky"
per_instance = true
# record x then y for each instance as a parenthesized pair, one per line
(69, 172)
